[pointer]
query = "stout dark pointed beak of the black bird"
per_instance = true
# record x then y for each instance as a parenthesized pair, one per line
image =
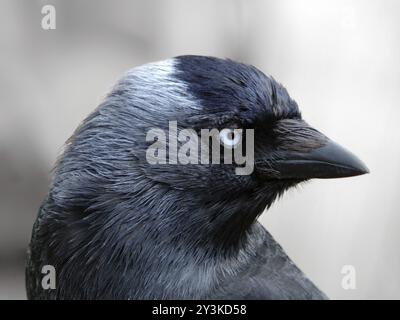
(320, 158)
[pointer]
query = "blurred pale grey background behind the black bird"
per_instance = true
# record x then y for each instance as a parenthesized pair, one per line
(338, 59)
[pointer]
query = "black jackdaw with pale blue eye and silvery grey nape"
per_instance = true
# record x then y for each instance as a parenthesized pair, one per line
(115, 226)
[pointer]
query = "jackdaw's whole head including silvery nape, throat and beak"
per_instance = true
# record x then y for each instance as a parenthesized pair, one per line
(106, 164)
